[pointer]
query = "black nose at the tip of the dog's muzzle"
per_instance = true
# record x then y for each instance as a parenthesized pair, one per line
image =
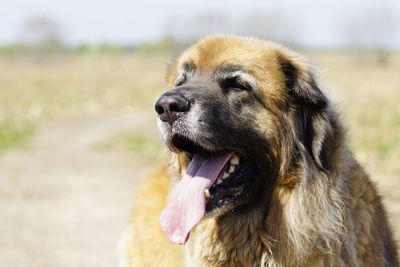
(170, 106)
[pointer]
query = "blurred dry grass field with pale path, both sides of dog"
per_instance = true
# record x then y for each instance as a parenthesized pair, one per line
(78, 131)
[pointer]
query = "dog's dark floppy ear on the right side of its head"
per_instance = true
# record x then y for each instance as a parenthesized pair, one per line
(311, 108)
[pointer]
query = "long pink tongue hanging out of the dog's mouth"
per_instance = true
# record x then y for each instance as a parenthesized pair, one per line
(187, 201)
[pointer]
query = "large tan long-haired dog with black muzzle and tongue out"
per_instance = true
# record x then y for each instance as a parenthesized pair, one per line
(260, 173)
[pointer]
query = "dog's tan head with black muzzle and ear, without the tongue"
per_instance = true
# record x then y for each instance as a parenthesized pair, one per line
(240, 96)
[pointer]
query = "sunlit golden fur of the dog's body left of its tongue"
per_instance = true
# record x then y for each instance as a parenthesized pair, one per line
(143, 242)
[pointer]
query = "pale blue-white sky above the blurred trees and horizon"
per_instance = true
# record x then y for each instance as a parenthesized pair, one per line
(132, 21)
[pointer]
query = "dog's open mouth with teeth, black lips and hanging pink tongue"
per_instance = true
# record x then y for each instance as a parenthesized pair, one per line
(213, 180)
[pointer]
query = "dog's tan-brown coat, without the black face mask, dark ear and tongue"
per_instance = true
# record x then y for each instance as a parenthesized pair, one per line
(311, 217)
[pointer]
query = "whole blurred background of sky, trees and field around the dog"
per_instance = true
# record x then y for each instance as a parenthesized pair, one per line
(78, 81)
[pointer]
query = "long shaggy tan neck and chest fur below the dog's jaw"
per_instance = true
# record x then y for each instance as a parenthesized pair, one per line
(295, 226)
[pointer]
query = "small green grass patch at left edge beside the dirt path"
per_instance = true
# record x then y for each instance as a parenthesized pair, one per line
(14, 133)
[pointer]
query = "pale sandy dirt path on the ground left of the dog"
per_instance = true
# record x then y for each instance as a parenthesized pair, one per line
(61, 202)
